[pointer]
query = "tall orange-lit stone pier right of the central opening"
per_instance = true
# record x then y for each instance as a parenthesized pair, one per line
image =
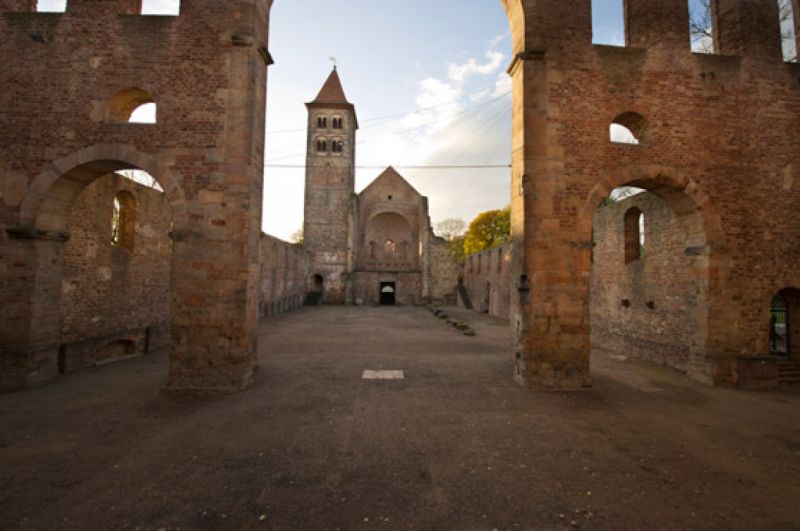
(551, 263)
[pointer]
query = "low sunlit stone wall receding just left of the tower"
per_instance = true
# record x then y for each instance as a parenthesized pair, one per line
(284, 276)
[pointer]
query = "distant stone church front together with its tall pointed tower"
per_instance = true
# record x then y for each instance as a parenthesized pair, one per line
(359, 243)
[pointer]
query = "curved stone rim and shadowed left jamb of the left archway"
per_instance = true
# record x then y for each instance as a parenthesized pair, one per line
(33, 331)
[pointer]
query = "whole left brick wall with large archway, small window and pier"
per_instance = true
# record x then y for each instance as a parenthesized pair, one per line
(68, 81)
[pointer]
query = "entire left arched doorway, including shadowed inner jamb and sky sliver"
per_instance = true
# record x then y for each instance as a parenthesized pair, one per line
(90, 237)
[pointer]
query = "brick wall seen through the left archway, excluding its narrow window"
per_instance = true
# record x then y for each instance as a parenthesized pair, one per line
(115, 301)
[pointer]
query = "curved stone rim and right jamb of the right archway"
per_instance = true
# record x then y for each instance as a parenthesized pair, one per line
(704, 246)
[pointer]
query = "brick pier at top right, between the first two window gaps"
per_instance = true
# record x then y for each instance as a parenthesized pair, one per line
(657, 23)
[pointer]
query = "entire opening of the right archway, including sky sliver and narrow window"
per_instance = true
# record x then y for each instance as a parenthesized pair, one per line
(656, 308)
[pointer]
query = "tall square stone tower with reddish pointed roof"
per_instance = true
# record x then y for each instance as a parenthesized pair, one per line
(330, 189)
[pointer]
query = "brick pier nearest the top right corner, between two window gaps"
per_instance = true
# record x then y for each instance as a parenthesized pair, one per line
(747, 28)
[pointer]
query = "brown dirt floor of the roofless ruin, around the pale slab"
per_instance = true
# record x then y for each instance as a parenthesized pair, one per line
(456, 445)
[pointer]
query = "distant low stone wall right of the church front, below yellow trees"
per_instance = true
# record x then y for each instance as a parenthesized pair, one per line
(487, 279)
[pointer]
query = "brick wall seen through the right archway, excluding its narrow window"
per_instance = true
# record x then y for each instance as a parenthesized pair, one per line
(645, 308)
